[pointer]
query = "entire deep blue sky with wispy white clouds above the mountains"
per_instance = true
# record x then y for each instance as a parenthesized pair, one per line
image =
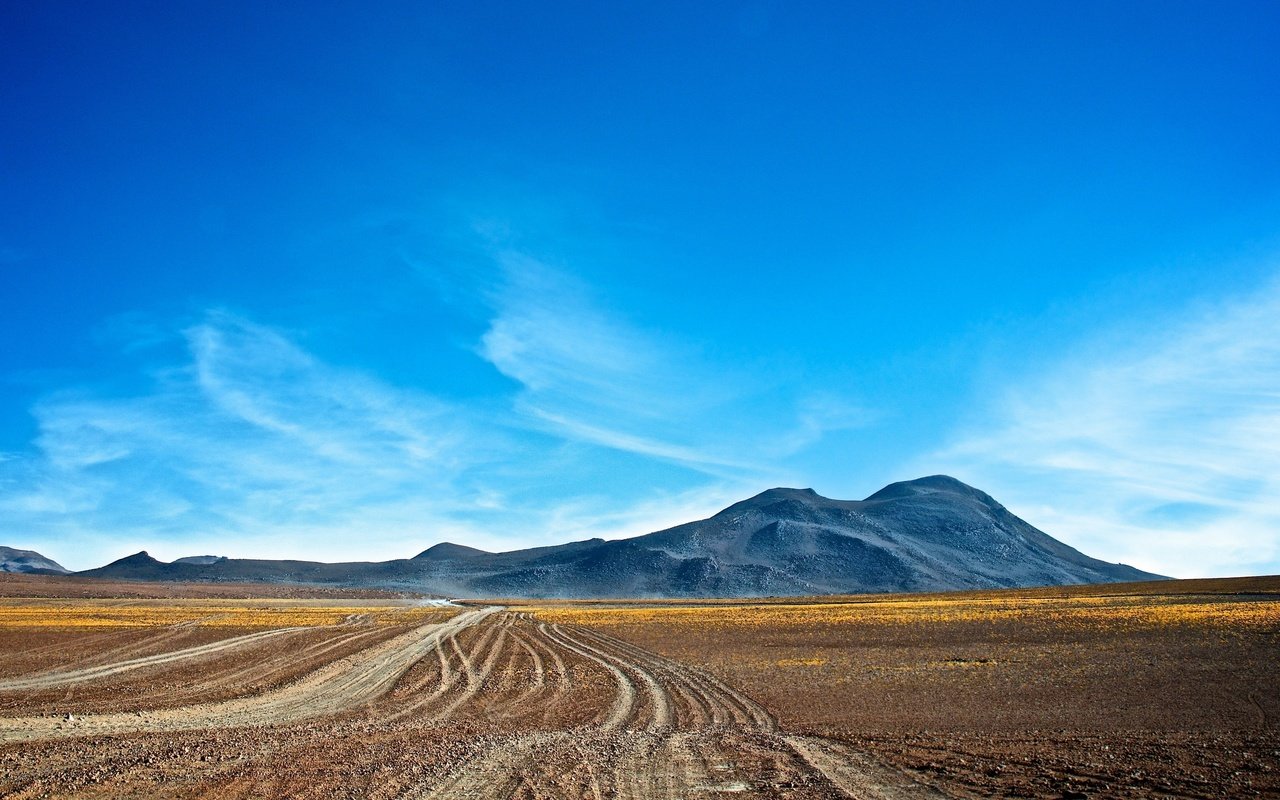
(332, 282)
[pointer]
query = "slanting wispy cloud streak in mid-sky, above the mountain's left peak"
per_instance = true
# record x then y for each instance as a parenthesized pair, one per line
(589, 374)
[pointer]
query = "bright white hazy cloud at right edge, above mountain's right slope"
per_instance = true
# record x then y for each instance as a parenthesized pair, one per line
(1158, 445)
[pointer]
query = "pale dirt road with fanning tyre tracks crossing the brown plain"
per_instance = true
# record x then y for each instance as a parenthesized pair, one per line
(557, 711)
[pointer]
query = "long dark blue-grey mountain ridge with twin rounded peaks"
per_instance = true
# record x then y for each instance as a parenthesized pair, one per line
(932, 534)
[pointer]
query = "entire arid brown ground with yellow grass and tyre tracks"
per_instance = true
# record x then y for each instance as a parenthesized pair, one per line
(138, 691)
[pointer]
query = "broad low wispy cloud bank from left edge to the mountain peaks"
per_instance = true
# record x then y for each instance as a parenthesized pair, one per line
(250, 446)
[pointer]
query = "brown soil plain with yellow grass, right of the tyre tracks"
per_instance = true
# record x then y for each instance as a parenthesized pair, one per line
(1039, 703)
